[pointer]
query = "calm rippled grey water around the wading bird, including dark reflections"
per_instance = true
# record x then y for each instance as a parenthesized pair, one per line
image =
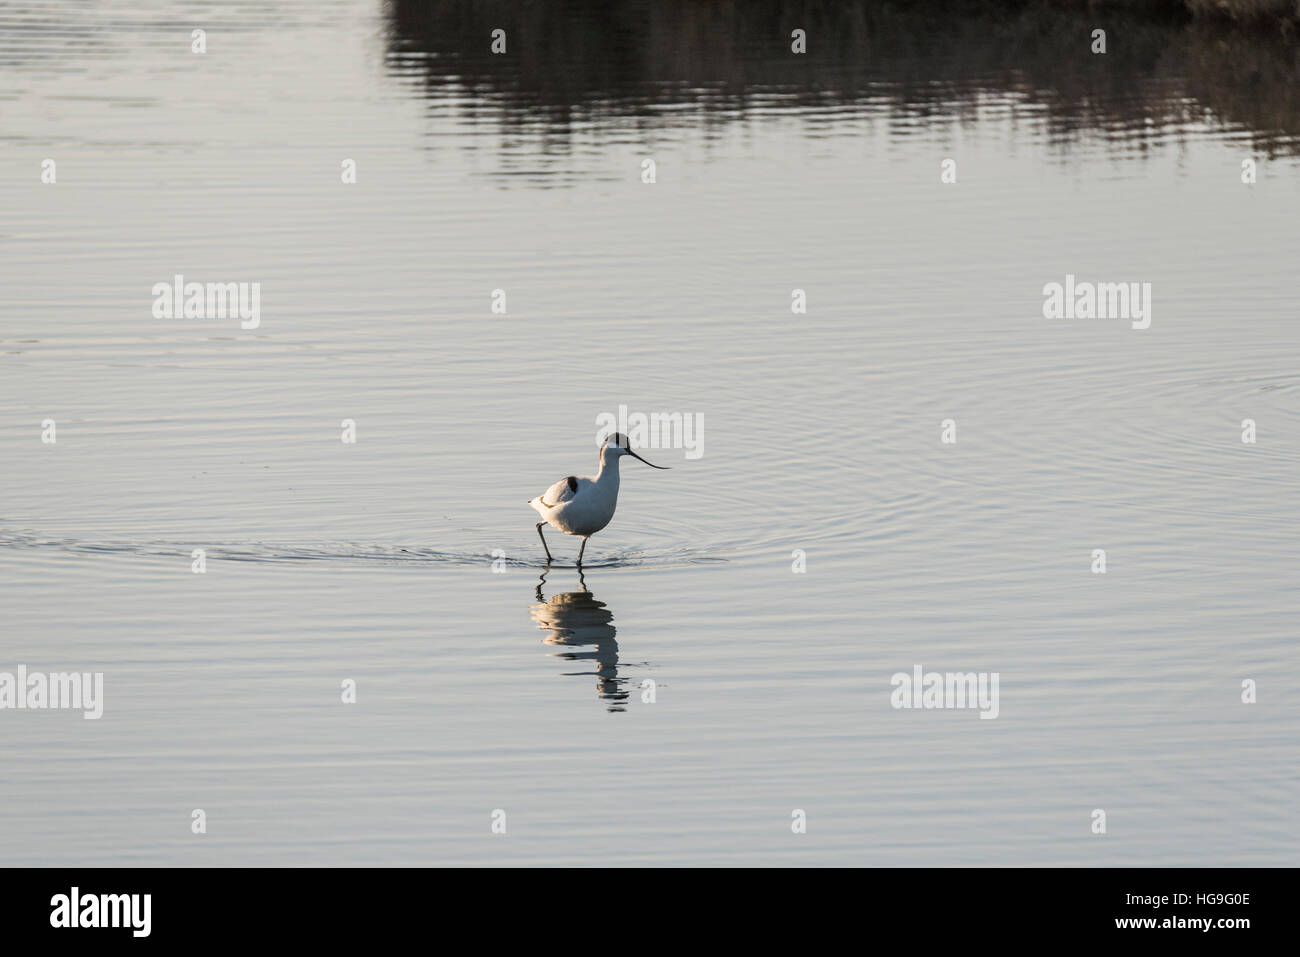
(726, 656)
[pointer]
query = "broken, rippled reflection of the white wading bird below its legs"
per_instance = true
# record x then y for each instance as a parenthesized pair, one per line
(583, 627)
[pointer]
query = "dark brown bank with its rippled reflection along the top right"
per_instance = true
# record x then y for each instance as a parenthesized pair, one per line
(661, 63)
